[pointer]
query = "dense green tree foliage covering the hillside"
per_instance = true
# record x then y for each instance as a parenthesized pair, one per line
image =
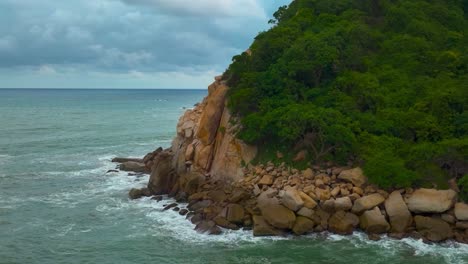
(381, 83)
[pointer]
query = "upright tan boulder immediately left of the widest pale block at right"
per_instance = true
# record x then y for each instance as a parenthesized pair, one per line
(398, 213)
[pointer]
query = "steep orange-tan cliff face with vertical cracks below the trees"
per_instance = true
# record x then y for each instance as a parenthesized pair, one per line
(205, 141)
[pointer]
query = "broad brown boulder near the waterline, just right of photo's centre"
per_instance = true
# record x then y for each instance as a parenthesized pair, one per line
(278, 216)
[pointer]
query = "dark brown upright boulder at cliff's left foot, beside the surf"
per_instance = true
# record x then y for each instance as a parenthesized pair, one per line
(162, 177)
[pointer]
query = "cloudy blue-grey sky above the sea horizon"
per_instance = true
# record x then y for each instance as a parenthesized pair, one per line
(125, 43)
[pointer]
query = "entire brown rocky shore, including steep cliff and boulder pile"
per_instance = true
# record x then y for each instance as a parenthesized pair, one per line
(210, 169)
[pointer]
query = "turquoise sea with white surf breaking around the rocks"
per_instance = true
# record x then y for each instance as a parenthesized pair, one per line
(57, 205)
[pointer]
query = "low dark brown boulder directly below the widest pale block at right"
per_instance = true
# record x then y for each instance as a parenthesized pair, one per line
(433, 229)
